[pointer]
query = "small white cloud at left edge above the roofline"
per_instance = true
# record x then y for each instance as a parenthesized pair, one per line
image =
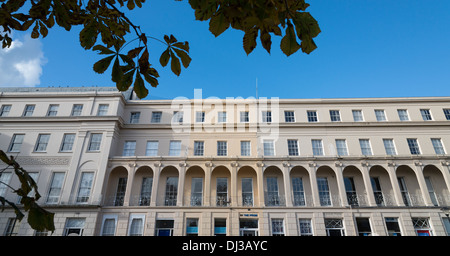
(21, 64)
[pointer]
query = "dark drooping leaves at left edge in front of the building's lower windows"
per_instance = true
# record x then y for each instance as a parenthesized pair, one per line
(38, 218)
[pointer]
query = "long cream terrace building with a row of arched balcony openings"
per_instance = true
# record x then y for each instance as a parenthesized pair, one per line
(107, 163)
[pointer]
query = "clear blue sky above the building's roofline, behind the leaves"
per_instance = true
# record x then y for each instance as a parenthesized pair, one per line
(367, 48)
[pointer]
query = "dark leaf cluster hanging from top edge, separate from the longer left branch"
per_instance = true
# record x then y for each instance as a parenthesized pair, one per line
(263, 17)
